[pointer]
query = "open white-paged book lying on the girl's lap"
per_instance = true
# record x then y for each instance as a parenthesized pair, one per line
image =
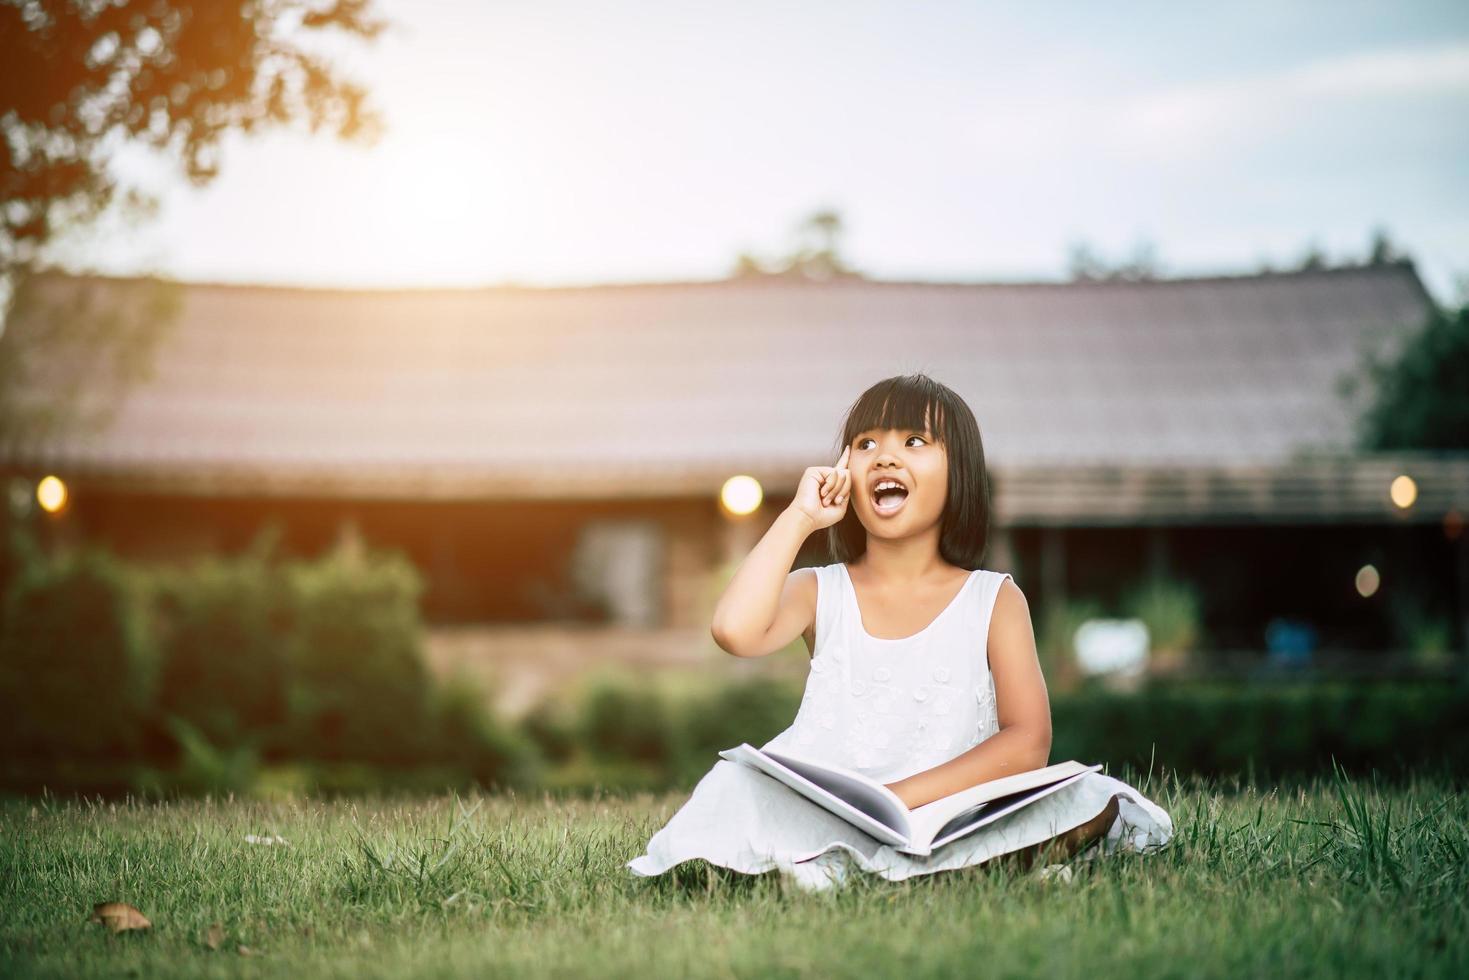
(872, 807)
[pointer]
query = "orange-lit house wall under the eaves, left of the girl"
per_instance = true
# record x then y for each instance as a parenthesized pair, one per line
(643, 563)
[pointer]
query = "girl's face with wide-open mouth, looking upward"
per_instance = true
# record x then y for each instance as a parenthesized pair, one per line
(914, 459)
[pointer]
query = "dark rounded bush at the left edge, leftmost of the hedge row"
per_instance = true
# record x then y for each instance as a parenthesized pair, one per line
(77, 665)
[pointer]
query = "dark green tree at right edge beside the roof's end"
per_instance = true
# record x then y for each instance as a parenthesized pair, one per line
(1420, 399)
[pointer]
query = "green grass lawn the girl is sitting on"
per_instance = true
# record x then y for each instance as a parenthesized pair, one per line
(1338, 878)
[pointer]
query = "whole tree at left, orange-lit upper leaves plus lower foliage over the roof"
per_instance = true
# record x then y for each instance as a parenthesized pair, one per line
(82, 79)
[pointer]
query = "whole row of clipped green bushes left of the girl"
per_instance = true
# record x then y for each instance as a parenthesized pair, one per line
(208, 678)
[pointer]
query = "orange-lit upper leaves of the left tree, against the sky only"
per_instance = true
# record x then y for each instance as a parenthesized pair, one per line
(177, 76)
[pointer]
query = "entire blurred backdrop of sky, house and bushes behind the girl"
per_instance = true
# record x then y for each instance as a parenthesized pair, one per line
(389, 390)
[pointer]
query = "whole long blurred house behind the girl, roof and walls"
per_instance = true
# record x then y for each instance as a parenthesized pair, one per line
(556, 455)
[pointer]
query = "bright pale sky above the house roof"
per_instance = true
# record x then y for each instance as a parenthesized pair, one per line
(553, 143)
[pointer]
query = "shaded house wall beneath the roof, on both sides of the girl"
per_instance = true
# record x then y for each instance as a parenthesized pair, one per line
(533, 562)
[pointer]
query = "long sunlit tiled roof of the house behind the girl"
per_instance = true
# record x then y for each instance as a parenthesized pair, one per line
(657, 389)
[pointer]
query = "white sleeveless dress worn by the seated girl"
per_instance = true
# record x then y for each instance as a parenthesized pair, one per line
(887, 709)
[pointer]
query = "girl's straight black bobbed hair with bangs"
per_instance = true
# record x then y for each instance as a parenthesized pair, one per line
(917, 402)
